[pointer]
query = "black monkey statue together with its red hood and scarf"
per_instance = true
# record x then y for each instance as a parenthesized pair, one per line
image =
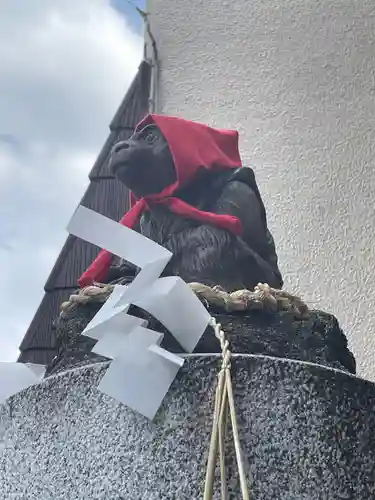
(200, 205)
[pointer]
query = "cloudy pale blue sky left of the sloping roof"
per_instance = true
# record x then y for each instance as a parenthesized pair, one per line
(65, 67)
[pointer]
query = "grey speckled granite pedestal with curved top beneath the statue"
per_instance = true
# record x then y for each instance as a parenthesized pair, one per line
(308, 433)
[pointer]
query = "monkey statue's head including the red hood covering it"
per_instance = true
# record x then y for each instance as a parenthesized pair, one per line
(167, 153)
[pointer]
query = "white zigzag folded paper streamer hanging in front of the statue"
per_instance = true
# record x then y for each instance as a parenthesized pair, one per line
(141, 372)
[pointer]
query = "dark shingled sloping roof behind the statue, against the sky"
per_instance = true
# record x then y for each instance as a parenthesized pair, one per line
(105, 195)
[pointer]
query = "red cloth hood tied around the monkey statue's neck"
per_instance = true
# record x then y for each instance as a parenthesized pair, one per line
(193, 146)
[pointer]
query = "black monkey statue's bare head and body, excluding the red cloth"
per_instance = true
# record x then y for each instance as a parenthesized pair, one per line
(201, 251)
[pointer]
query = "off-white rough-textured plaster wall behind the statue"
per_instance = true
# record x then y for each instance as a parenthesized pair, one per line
(297, 79)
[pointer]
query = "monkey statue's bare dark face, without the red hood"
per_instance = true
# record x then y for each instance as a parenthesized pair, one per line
(144, 162)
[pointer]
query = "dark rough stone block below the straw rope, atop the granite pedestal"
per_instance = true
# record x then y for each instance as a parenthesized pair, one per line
(317, 339)
